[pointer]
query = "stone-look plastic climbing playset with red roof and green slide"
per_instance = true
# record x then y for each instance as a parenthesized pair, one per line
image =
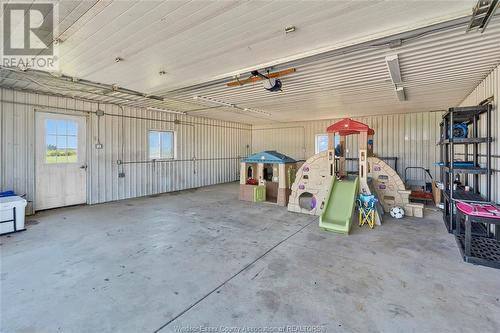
(323, 188)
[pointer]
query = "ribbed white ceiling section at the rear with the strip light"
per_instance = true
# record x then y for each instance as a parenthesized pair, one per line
(438, 71)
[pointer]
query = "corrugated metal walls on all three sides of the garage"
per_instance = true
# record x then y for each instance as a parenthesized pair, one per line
(216, 145)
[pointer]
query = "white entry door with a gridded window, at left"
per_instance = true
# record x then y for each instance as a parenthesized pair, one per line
(61, 167)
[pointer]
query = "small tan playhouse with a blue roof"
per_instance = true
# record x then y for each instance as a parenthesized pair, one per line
(267, 176)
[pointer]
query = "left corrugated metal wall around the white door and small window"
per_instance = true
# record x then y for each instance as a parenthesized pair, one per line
(216, 146)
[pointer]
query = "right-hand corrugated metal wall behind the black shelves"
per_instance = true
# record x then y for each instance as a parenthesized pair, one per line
(487, 88)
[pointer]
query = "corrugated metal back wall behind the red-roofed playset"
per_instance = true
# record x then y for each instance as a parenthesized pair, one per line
(411, 137)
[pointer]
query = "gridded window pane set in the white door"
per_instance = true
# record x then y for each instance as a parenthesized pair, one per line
(61, 141)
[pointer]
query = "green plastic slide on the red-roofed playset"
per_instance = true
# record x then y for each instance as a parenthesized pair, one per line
(339, 210)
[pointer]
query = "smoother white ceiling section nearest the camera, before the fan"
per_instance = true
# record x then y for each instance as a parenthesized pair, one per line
(197, 41)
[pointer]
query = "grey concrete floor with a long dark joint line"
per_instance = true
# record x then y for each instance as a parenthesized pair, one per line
(201, 259)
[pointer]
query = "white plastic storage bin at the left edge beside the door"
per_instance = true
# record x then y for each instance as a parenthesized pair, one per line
(12, 214)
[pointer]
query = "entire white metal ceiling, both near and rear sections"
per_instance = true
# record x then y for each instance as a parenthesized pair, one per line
(438, 69)
